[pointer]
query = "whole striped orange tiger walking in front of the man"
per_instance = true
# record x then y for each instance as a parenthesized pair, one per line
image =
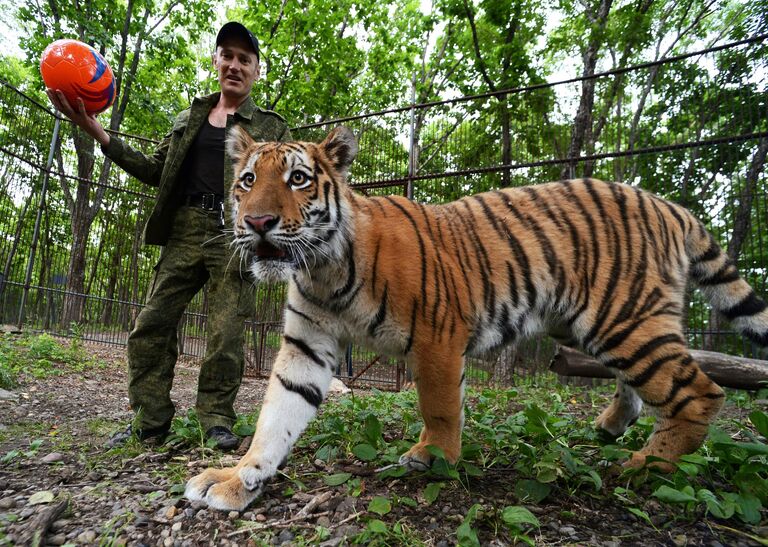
(598, 266)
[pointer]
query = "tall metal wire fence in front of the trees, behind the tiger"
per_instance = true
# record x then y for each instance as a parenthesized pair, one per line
(703, 147)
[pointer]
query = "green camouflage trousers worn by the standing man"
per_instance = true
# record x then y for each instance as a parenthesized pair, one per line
(197, 252)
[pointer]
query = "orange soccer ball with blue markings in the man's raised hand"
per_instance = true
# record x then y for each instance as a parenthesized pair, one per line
(78, 70)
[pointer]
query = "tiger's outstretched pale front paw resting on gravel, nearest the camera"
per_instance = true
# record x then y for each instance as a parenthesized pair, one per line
(230, 489)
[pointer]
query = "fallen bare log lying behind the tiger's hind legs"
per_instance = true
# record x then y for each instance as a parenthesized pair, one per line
(725, 370)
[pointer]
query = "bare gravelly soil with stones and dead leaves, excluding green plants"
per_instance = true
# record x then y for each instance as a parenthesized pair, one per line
(133, 497)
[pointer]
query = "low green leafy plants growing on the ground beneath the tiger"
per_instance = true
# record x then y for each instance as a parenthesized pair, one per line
(533, 432)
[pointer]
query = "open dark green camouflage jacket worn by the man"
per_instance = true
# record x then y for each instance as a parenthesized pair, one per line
(163, 166)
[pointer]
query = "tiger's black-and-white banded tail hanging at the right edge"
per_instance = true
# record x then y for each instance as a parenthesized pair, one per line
(719, 280)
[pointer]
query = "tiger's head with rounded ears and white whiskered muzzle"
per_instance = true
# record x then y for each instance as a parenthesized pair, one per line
(289, 202)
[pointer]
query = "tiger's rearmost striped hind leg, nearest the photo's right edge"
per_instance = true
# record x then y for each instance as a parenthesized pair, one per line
(660, 369)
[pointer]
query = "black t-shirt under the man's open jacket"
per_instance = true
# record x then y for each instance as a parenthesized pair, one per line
(203, 169)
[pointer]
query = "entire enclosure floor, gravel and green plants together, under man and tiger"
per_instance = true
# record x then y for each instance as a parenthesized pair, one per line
(52, 444)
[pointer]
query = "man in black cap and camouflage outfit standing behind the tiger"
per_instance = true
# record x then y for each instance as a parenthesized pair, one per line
(192, 171)
